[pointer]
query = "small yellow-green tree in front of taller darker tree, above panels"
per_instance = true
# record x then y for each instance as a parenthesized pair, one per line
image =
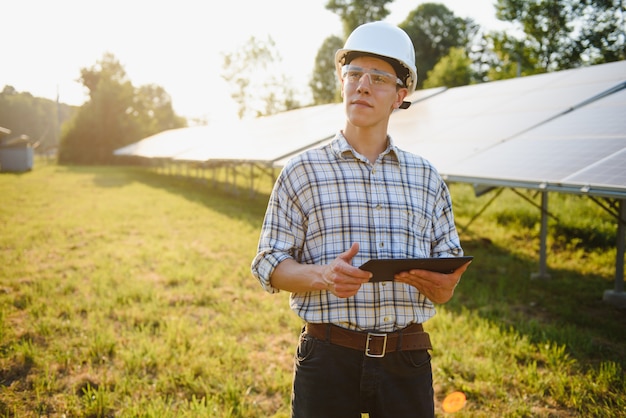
(451, 71)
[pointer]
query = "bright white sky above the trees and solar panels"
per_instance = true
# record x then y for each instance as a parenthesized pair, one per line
(176, 44)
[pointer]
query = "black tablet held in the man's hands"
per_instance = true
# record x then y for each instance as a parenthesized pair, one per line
(385, 268)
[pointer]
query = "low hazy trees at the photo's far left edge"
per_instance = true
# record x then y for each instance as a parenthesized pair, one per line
(39, 119)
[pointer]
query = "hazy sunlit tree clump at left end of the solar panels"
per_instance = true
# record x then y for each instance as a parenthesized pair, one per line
(116, 114)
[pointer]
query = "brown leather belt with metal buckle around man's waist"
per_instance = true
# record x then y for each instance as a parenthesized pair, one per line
(373, 344)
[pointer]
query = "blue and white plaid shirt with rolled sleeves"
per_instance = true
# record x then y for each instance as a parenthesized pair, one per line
(327, 198)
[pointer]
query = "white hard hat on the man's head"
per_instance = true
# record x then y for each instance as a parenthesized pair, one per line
(385, 40)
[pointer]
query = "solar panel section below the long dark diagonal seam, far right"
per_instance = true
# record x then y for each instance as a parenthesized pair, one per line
(584, 148)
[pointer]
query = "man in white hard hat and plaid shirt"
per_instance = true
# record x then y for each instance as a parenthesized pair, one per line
(363, 348)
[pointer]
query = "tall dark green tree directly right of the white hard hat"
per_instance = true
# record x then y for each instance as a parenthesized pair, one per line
(434, 29)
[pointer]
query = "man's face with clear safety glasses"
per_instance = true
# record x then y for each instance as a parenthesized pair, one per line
(370, 92)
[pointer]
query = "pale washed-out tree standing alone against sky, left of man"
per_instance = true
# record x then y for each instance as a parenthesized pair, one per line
(258, 86)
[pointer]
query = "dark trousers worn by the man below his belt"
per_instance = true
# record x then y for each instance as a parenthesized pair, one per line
(333, 381)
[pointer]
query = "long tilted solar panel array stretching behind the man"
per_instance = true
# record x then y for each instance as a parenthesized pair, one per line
(562, 131)
